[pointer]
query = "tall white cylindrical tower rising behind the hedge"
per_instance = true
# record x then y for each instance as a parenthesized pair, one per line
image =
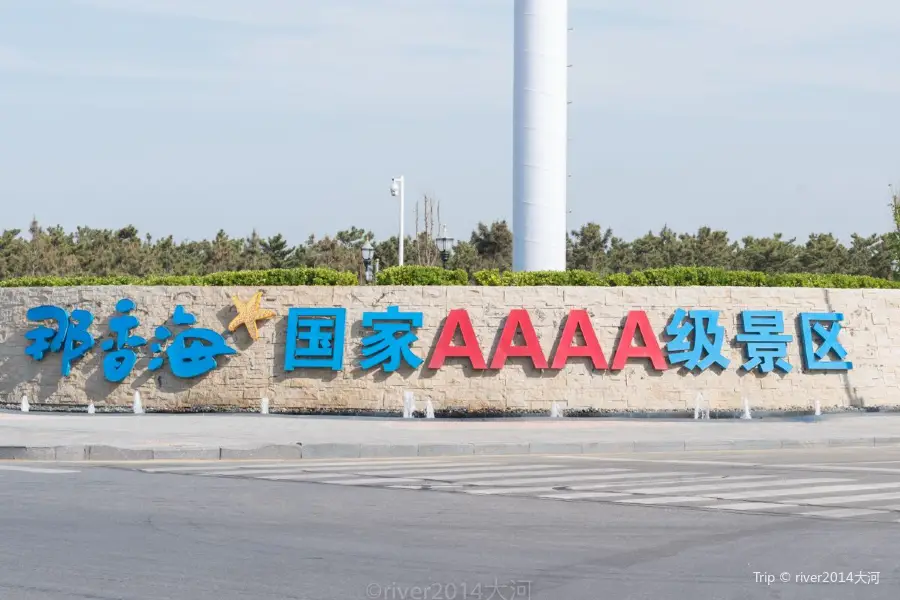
(540, 136)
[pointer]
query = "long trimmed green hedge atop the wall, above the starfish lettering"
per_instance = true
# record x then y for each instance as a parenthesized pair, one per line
(270, 277)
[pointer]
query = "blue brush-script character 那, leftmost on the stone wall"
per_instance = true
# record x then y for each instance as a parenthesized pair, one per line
(71, 334)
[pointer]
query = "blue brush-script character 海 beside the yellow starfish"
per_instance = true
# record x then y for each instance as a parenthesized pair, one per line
(192, 352)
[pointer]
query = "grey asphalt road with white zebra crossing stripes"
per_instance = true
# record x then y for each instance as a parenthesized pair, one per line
(454, 529)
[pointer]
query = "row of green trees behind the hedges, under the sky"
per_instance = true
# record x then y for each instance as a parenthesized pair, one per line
(52, 251)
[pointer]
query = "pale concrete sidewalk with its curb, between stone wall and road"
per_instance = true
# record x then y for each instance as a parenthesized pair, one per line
(68, 437)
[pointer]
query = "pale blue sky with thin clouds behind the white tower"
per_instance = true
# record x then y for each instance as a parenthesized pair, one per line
(187, 116)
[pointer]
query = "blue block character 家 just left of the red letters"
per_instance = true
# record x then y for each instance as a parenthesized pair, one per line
(383, 346)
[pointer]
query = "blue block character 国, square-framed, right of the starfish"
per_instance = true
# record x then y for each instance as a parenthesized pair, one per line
(315, 338)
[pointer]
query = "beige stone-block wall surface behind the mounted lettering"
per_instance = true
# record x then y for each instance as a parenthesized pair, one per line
(870, 334)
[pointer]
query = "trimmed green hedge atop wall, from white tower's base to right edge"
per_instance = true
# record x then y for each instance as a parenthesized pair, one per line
(682, 276)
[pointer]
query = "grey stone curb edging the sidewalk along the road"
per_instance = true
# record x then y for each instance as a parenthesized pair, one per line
(100, 453)
